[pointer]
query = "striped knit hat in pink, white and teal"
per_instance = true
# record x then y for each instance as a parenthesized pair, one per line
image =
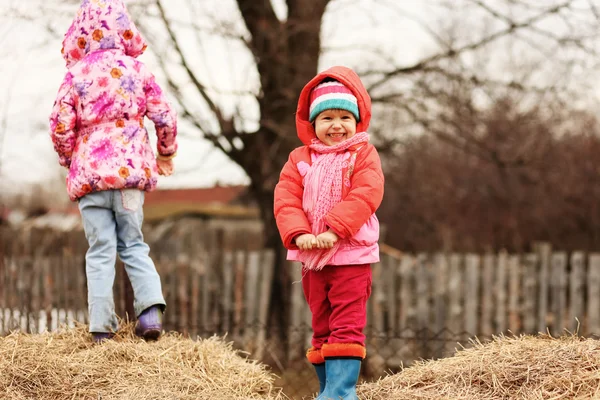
(329, 95)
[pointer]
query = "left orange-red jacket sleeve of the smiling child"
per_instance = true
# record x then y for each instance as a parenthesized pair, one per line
(289, 214)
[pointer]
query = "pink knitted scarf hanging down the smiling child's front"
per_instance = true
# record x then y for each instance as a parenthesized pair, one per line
(322, 191)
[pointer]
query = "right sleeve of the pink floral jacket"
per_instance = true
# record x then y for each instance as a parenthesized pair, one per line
(163, 115)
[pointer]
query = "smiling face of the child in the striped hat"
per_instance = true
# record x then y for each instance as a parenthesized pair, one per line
(334, 126)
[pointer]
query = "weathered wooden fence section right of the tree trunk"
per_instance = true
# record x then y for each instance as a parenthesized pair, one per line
(424, 304)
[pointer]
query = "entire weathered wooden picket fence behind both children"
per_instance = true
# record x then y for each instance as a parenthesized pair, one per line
(421, 305)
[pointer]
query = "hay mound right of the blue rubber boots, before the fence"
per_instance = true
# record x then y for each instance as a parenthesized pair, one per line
(524, 367)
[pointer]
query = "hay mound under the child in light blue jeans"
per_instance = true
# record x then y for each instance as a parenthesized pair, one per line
(67, 365)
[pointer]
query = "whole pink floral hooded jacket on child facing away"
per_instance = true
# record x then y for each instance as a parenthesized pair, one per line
(97, 122)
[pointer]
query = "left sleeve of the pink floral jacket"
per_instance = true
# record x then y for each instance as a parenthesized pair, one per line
(63, 120)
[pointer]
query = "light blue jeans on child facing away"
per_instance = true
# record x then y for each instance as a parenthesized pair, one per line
(112, 221)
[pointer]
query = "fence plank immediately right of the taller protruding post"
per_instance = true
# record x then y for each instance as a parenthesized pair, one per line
(558, 265)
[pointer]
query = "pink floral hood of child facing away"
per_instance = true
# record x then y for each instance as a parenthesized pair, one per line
(101, 25)
